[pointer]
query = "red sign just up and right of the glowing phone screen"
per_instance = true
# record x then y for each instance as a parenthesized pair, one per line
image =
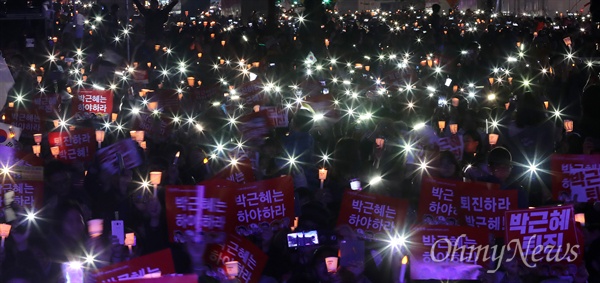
(371, 215)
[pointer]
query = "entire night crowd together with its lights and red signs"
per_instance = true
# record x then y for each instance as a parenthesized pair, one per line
(383, 125)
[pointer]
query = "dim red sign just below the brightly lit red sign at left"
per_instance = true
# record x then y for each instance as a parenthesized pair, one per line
(76, 145)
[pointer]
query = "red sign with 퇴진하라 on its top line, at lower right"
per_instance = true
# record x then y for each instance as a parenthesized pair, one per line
(483, 205)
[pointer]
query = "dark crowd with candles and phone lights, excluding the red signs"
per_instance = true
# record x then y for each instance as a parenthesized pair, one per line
(397, 81)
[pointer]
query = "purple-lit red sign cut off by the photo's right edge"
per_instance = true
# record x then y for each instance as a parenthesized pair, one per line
(575, 177)
